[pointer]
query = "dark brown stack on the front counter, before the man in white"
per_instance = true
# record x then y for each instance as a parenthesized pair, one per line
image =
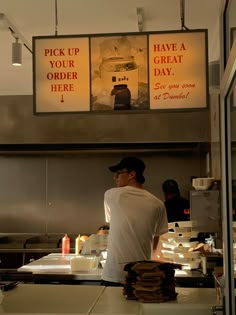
(150, 281)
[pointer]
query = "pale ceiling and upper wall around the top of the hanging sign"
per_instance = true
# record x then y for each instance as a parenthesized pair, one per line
(37, 18)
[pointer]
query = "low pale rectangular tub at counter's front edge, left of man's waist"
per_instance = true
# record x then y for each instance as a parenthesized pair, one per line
(84, 263)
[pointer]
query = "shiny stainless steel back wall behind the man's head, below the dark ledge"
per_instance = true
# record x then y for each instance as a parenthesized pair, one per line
(61, 193)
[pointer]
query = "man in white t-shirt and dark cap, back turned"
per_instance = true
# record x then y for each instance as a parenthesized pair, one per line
(137, 219)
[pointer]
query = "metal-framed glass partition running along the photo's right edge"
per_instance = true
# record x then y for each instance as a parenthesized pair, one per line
(228, 137)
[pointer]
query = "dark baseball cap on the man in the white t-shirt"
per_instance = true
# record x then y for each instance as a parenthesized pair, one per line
(131, 164)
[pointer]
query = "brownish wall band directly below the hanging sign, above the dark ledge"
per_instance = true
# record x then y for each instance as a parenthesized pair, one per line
(20, 126)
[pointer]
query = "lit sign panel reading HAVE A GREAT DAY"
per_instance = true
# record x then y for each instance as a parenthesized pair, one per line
(177, 70)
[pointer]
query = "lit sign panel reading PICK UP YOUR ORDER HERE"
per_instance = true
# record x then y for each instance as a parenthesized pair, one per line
(62, 75)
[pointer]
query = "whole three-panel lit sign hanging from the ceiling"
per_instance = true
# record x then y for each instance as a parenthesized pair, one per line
(110, 72)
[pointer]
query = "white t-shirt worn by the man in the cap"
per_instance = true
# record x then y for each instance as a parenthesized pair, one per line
(135, 217)
